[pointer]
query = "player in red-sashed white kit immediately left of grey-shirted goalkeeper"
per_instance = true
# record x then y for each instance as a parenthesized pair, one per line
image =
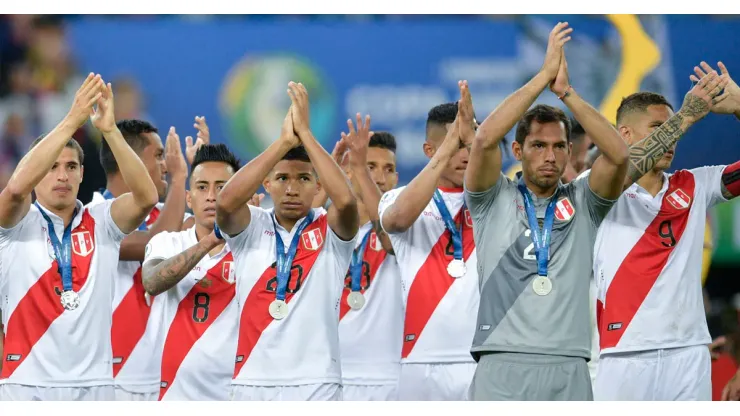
(431, 234)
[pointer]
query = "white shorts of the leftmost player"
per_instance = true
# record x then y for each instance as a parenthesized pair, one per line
(19, 392)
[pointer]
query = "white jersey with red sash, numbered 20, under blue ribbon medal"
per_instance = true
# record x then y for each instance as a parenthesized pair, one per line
(303, 347)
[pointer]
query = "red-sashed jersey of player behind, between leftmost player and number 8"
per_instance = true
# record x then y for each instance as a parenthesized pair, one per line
(131, 310)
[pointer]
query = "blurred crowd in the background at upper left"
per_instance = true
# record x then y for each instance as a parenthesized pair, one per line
(38, 80)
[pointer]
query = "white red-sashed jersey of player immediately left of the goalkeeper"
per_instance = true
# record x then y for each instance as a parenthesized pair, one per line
(441, 310)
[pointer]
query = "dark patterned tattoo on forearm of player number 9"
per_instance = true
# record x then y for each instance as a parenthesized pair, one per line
(648, 151)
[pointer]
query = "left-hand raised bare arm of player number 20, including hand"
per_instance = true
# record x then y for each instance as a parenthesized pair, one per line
(232, 212)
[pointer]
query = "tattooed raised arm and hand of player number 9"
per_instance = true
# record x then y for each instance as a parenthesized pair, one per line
(696, 105)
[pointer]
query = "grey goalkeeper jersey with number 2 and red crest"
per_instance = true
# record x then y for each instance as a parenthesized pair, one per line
(512, 317)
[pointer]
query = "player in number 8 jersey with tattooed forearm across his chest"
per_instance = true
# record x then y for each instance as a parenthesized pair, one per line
(191, 273)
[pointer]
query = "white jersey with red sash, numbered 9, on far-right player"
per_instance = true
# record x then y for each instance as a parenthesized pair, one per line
(647, 264)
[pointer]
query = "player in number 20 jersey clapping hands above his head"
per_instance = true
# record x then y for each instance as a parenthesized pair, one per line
(290, 265)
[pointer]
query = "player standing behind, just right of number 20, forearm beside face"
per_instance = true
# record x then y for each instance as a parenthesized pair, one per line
(371, 309)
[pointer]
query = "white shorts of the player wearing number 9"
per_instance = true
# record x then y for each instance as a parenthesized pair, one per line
(657, 375)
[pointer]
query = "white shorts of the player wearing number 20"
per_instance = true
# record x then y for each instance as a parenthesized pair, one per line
(307, 392)
